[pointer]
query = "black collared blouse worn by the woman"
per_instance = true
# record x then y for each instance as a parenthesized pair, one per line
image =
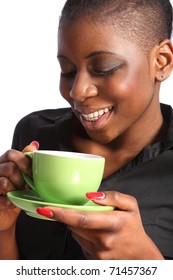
(148, 177)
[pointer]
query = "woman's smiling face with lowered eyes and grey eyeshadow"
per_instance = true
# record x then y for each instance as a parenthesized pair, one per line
(107, 80)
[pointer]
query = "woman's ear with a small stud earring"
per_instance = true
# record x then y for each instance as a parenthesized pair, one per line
(164, 60)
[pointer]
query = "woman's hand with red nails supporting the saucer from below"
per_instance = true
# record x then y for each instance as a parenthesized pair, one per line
(116, 235)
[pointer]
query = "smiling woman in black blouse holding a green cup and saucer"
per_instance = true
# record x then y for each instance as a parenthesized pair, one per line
(113, 57)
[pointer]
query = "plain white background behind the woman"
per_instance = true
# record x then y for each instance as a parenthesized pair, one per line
(29, 71)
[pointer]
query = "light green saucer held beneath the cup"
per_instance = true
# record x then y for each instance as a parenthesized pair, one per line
(29, 201)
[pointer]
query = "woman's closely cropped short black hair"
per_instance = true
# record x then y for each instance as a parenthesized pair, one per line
(146, 22)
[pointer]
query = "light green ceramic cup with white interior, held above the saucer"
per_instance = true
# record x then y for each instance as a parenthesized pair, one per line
(64, 177)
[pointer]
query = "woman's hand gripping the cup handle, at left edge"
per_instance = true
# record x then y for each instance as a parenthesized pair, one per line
(11, 179)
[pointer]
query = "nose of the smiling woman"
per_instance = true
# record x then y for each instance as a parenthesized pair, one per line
(83, 88)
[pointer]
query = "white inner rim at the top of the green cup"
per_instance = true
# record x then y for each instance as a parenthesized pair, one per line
(68, 154)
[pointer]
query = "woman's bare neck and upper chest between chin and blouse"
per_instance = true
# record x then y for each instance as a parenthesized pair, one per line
(125, 147)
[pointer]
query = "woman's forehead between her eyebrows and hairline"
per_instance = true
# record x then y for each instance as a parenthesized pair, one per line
(84, 36)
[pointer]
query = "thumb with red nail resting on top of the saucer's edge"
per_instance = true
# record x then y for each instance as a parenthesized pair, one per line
(116, 199)
